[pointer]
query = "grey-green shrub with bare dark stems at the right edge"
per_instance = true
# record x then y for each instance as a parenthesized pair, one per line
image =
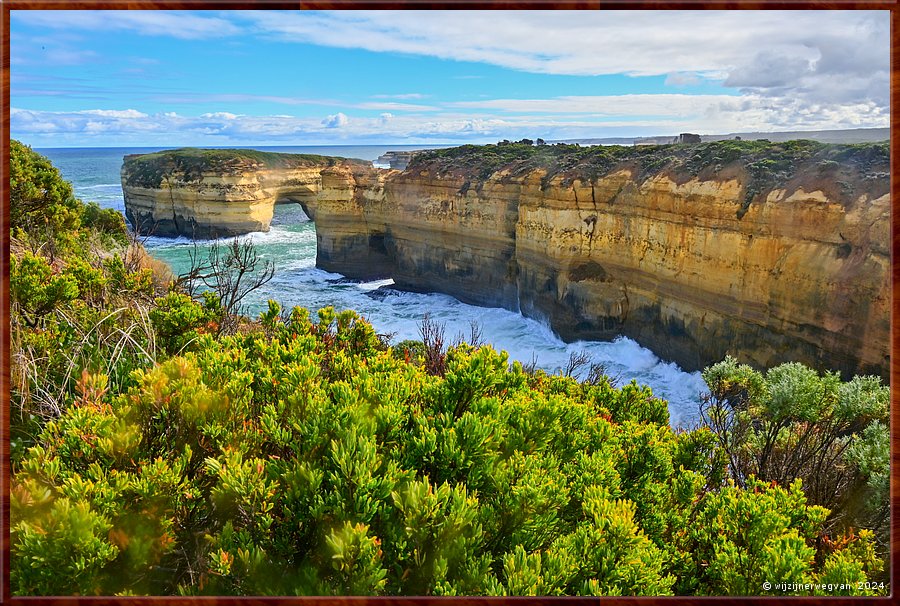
(792, 423)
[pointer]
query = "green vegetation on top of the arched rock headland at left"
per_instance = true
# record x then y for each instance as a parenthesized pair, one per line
(147, 170)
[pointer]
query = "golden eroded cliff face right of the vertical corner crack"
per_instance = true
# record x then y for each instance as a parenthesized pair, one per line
(799, 277)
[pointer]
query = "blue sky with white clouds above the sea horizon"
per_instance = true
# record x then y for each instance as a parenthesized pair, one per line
(208, 78)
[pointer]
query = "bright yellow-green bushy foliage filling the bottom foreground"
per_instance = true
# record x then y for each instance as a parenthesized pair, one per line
(307, 458)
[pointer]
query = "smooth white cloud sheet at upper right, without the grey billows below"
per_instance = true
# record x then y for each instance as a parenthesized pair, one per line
(583, 42)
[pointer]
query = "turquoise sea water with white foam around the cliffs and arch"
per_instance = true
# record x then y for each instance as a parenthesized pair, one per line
(290, 244)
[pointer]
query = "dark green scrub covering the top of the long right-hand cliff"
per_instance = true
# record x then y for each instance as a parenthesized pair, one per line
(761, 164)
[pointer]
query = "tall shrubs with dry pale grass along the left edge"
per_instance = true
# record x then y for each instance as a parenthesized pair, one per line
(75, 304)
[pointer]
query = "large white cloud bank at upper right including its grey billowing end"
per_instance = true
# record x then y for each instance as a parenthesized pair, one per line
(839, 56)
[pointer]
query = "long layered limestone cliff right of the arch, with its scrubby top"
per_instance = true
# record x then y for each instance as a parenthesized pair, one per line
(769, 252)
